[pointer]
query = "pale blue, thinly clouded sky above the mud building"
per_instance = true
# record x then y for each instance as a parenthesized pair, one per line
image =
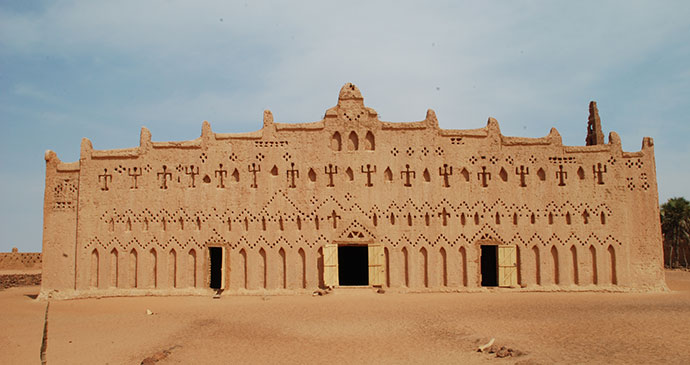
(73, 69)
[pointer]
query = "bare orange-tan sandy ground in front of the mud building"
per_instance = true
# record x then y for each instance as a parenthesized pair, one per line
(353, 326)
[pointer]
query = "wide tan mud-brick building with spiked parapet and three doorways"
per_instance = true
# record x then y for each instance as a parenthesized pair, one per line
(351, 200)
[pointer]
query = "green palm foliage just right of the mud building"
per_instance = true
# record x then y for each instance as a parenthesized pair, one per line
(675, 226)
